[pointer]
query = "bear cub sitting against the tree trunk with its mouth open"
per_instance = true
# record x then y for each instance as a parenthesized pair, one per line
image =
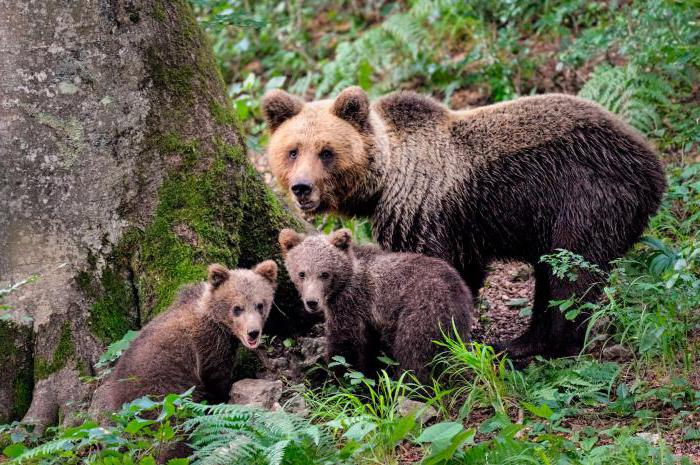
(194, 342)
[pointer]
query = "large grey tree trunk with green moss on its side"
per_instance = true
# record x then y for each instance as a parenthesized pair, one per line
(122, 174)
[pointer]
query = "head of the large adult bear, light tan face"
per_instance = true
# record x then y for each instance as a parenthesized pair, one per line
(317, 150)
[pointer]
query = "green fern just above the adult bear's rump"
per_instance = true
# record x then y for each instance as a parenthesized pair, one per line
(636, 96)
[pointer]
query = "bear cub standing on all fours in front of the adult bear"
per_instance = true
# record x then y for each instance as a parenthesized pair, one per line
(376, 301)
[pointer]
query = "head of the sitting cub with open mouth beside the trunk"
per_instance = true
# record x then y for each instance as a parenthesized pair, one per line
(241, 299)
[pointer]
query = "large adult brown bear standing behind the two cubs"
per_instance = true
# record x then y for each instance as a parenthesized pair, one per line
(515, 180)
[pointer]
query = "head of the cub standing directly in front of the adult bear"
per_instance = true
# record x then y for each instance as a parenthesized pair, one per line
(319, 266)
